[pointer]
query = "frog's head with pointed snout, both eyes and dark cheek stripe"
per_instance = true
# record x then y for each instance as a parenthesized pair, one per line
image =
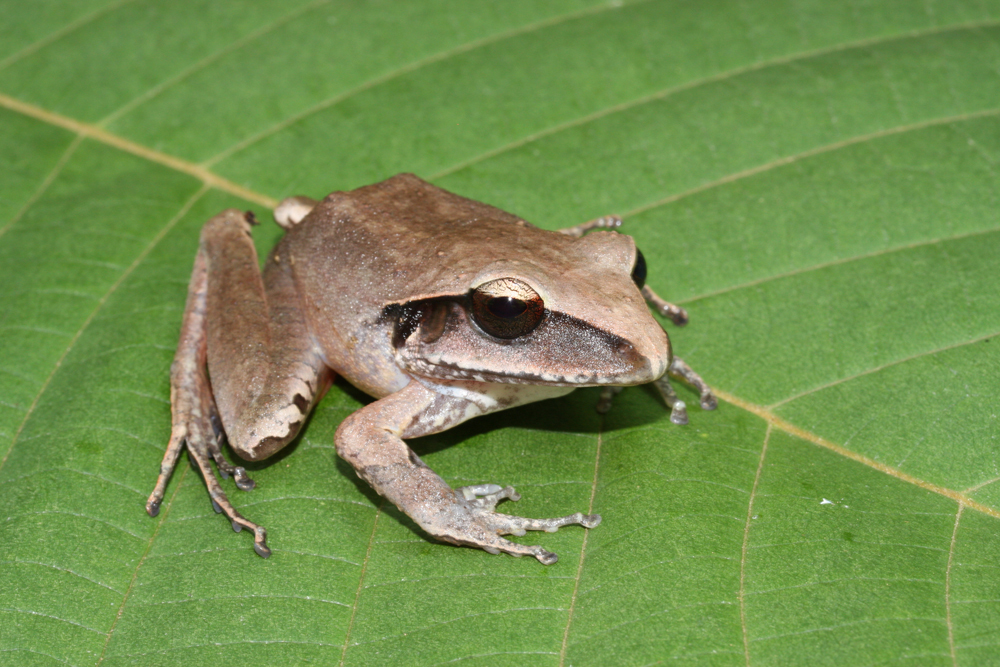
(555, 311)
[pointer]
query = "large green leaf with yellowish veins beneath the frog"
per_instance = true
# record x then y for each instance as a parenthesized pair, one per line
(816, 182)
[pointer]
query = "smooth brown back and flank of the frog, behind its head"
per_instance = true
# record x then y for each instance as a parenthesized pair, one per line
(389, 243)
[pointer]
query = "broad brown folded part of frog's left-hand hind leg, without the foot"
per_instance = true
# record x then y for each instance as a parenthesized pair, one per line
(266, 375)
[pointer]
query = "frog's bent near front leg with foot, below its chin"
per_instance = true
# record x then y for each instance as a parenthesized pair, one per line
(371, 440)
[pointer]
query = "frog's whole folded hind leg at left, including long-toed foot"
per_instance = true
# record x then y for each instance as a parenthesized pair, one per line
(245, 367)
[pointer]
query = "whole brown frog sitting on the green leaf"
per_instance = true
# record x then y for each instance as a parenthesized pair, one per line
(441, 308)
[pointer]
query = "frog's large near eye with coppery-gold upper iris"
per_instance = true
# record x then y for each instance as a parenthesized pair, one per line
(507, 308)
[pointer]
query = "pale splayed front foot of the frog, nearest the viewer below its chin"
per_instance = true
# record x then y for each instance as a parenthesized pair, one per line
(479, 525)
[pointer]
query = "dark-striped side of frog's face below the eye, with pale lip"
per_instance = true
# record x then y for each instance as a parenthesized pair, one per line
(440, 341)
